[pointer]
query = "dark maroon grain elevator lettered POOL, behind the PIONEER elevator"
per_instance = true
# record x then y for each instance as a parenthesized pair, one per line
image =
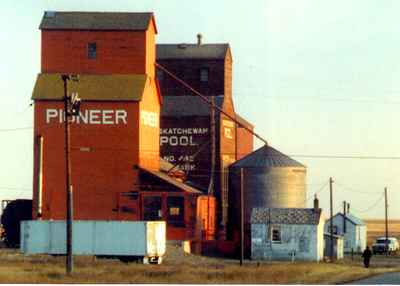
(185, 123)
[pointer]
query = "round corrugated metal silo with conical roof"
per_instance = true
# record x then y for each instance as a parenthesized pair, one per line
(271, 179)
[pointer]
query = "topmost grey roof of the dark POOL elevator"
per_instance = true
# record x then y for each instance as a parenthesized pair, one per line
(192, 51)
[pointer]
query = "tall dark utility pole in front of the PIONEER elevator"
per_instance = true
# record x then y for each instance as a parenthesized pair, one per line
(71, 107)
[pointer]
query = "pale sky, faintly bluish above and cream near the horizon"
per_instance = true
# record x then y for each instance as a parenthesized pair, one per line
(315, 77)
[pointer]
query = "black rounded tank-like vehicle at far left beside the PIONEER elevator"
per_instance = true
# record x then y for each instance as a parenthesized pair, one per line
(13, 214)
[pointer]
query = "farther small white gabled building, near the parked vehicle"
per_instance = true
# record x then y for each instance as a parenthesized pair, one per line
(353, 230)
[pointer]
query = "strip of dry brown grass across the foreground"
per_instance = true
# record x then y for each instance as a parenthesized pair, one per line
(180, 268)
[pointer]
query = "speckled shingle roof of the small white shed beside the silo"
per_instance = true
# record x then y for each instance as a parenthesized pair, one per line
(285, 216)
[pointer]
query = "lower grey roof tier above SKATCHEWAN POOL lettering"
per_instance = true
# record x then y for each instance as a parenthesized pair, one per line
(177, 106)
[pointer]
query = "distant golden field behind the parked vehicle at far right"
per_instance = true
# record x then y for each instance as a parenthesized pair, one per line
(376, 228)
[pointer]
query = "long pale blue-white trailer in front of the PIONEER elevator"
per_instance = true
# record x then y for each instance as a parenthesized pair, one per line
(113, 238)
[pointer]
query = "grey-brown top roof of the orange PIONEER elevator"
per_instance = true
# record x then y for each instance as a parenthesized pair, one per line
(95, 21)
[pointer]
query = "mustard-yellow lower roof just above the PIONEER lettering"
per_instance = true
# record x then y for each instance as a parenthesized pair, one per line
(50, 86)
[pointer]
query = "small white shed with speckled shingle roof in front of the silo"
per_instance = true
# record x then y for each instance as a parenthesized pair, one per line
(287, 234)
